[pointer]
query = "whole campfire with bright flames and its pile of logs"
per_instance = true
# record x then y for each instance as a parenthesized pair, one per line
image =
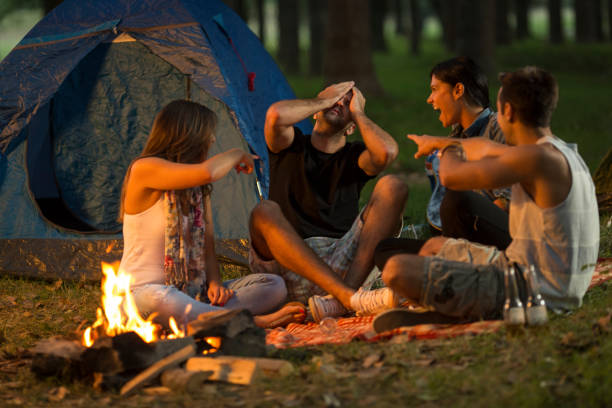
(123, 351)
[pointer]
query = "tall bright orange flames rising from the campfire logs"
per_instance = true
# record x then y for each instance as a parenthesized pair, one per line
(120, 314)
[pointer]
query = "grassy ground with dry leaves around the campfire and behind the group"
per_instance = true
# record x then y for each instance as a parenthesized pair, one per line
(566, 363)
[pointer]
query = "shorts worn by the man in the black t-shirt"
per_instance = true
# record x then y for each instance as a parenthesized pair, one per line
(338, 253)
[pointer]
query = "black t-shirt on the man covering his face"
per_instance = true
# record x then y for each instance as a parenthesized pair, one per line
(318, 192)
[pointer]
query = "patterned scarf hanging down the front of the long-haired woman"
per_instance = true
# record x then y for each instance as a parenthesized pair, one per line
(184, 261)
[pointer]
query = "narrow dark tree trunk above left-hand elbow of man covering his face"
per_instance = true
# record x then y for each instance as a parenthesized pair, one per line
(288, 44)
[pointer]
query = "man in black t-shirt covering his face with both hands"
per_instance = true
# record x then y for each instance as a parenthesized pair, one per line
(311, 231)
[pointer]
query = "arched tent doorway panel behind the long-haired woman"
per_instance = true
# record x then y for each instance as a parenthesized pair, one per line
(81, 144)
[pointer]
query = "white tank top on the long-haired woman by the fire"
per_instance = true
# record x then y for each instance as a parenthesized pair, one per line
(143, 245)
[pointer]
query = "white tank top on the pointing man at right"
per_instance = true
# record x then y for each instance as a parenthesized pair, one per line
(562, 241)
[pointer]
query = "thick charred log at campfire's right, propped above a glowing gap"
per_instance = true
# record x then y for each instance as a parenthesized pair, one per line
(237, 329)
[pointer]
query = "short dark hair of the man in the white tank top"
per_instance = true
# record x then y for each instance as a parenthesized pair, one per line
(533, 94)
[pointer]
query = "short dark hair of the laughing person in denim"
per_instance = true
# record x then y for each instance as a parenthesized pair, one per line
(466, 71)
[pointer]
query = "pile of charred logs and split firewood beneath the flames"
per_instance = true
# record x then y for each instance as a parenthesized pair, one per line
(126, 363)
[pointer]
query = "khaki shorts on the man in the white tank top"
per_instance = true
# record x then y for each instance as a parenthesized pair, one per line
(466, 280)
